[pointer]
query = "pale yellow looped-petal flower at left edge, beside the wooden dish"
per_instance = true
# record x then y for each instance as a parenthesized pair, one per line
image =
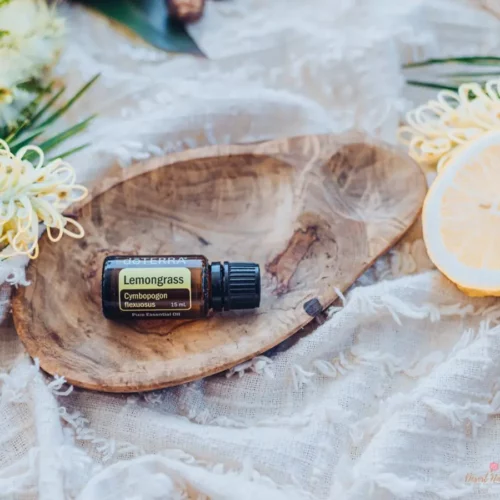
(30, 194)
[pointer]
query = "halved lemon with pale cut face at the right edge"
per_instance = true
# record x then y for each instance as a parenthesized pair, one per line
(461, 218)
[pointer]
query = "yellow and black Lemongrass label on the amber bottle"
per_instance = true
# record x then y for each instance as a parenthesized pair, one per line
(154, 289)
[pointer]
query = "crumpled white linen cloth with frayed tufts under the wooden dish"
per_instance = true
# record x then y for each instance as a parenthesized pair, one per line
(395, 396)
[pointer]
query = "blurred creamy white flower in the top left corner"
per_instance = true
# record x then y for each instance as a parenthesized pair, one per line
(31, 37)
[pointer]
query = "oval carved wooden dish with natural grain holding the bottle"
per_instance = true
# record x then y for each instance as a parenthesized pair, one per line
(313, 211)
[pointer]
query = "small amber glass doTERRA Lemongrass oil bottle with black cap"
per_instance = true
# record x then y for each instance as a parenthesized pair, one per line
(176, 286)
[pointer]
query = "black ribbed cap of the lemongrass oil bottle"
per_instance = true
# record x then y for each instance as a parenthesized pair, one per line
(235, 285)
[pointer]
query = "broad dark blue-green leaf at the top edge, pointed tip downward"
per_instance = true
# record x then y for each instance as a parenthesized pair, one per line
(148, 19)
